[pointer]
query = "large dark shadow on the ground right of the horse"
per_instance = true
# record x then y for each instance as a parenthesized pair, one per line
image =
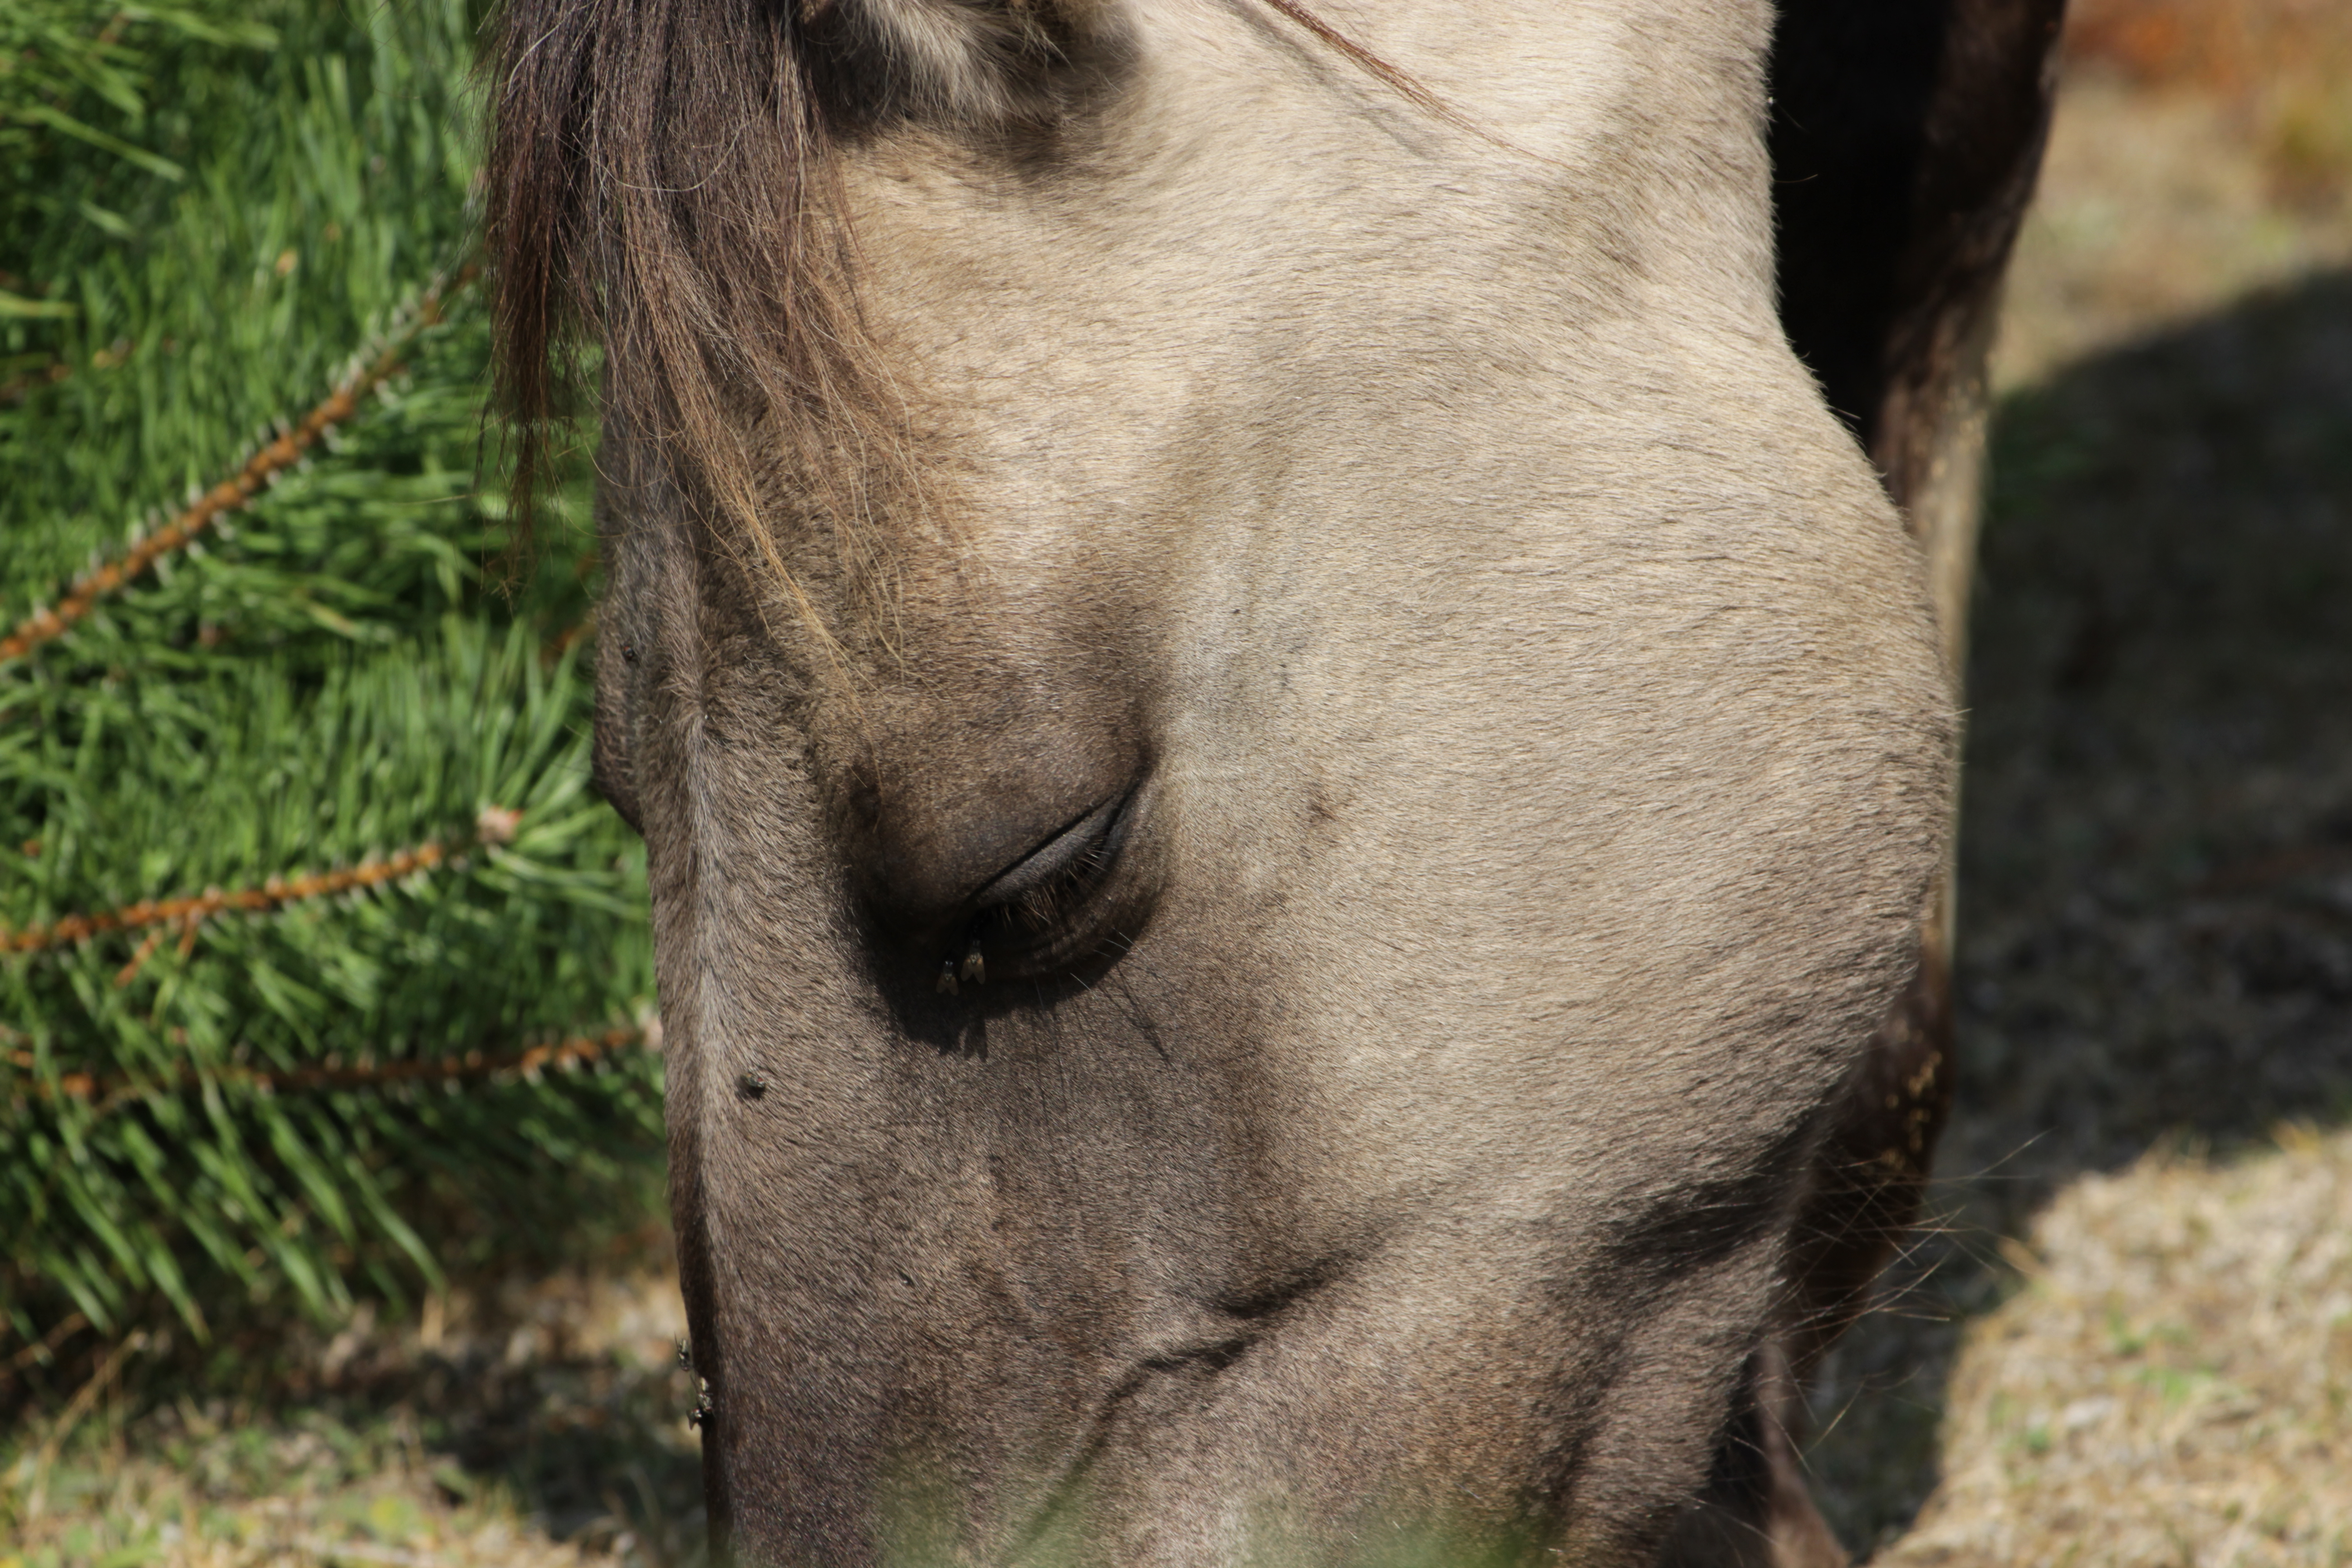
(2156, 934)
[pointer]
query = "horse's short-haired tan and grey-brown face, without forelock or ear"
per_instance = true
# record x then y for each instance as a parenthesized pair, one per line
(1481, 758)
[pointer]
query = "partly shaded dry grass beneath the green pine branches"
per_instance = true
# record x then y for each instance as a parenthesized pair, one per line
(540, 1426)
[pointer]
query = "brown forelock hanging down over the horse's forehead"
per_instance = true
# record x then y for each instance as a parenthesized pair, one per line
(655, 180)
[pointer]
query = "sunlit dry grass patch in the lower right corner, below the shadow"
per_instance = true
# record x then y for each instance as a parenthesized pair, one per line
(2174, 1381)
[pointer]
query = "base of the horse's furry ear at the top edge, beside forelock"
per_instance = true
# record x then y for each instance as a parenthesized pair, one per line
(965, 60)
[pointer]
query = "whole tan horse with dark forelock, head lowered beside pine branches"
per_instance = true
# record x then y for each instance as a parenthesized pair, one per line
(1290, 683)
